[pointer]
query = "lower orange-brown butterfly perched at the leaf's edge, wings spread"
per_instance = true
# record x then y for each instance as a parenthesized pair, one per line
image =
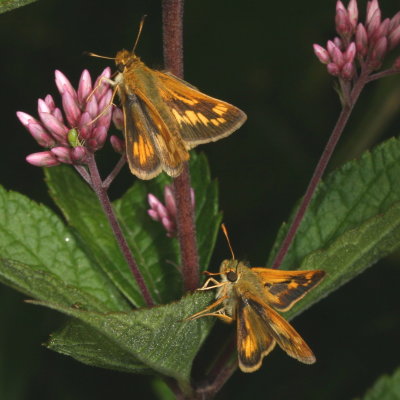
(254, 297)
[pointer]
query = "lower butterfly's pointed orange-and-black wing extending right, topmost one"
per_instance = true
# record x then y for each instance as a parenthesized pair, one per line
(285, 288)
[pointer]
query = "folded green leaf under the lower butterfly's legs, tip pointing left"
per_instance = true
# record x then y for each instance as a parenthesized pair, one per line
(158, 337)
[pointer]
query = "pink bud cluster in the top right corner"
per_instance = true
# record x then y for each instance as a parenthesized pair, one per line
(366, 43)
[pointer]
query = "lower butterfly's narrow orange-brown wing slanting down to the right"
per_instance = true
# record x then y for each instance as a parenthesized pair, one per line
(281, 331)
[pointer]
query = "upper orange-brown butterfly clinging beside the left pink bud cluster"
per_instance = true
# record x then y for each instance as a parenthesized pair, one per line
(165, 117)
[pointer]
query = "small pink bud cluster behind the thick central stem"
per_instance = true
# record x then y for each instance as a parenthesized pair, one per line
(166, 214)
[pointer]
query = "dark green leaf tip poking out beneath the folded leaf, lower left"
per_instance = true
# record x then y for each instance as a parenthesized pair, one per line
(90, 347)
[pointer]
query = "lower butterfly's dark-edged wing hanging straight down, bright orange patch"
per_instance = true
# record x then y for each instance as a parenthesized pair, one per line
(253, 339)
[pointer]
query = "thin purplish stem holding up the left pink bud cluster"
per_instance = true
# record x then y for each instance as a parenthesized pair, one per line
(101, 193)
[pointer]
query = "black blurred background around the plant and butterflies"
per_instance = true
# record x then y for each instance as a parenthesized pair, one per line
(257, 55)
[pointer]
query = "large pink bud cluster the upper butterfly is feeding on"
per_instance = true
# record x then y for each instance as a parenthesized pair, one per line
(87, 115)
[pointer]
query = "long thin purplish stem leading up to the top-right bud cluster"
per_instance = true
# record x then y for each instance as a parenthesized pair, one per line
(350, 100)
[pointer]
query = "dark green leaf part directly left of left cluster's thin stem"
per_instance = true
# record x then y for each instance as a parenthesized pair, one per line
(83, 211)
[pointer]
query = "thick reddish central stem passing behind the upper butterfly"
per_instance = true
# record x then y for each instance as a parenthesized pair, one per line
(173, 59)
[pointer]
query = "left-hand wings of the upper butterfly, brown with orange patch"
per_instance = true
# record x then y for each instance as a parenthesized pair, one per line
(150, 147)
